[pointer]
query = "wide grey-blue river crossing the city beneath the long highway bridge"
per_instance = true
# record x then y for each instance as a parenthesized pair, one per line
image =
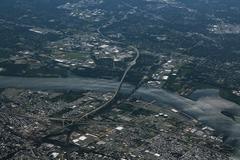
(204, 105)
